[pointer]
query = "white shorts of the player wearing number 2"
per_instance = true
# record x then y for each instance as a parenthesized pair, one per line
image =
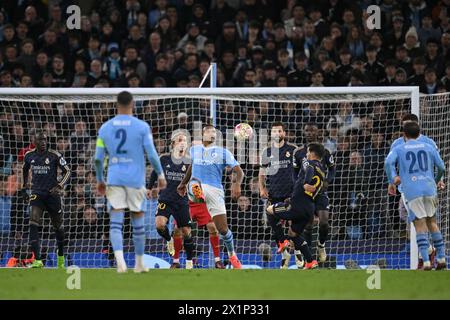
(120, 197)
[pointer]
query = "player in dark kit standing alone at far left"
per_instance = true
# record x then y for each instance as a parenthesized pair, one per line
(45, 194)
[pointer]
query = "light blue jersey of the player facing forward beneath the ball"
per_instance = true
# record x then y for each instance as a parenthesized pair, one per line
(208, 164)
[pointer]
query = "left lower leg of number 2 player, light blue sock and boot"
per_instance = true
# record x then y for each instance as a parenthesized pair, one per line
(116, 238)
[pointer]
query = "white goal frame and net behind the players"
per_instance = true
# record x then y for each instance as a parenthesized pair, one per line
(357, 125)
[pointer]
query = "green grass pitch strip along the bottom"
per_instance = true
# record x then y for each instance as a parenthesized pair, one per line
(223, 284)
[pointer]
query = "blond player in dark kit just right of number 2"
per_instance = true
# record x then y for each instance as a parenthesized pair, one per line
(170, 203)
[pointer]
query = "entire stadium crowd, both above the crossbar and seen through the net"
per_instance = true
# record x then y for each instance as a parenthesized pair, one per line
(255, 43)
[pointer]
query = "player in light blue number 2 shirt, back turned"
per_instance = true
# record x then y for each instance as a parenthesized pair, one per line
(125, 138)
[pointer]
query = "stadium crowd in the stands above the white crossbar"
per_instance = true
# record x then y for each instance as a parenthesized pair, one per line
(168, 43)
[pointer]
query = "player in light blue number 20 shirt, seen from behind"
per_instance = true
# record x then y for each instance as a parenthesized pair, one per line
(417, 162)
